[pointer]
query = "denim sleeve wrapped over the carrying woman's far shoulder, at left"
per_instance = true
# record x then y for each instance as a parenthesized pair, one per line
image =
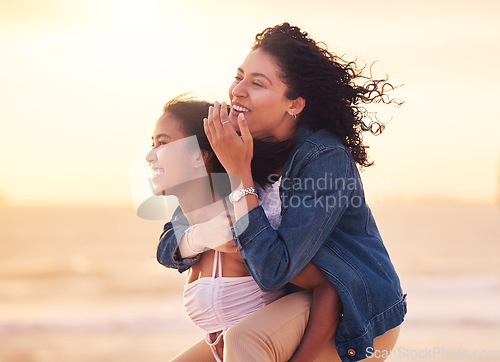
(167, 253)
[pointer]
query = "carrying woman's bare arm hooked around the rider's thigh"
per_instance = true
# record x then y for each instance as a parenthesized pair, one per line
(324, 316)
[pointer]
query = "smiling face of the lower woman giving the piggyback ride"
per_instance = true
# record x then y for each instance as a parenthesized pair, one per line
(174, 156)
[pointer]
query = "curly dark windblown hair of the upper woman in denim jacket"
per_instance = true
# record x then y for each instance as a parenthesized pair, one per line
(328, 84)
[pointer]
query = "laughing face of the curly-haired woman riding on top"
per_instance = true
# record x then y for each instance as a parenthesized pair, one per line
(259, 93)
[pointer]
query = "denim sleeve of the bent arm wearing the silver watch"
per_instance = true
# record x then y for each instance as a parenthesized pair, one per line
(309, 215)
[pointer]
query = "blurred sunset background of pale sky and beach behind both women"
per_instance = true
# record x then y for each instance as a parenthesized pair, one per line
(81, 86)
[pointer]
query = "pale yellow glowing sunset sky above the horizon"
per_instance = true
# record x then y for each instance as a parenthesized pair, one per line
(83, 82)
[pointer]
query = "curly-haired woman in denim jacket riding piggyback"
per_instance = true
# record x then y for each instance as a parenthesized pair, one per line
(293, 89)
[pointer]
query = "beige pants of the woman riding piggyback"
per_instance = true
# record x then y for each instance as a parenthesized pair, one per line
(272, 334)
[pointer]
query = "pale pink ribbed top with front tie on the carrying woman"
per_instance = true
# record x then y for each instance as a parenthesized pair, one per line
(216, 303)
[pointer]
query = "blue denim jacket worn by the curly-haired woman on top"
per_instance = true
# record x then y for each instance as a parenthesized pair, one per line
(325, 219)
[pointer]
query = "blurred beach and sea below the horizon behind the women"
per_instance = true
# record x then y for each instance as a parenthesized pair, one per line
(83, 284)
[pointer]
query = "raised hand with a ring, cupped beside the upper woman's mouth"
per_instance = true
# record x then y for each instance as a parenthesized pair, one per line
(234, 152)
